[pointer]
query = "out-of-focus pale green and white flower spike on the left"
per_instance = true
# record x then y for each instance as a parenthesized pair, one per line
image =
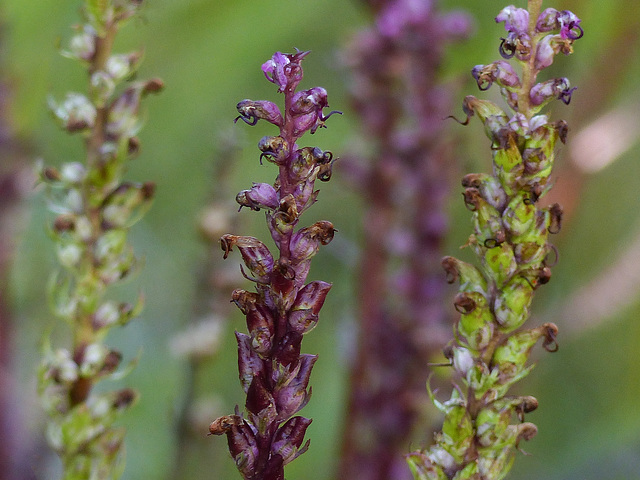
(95, 209)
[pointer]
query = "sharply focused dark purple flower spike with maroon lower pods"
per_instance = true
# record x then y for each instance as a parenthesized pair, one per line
(273, 373)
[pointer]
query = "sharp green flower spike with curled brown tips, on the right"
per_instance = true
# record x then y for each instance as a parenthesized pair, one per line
(510, 239)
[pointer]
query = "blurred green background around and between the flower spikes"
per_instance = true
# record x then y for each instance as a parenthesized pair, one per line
(209, 54)
